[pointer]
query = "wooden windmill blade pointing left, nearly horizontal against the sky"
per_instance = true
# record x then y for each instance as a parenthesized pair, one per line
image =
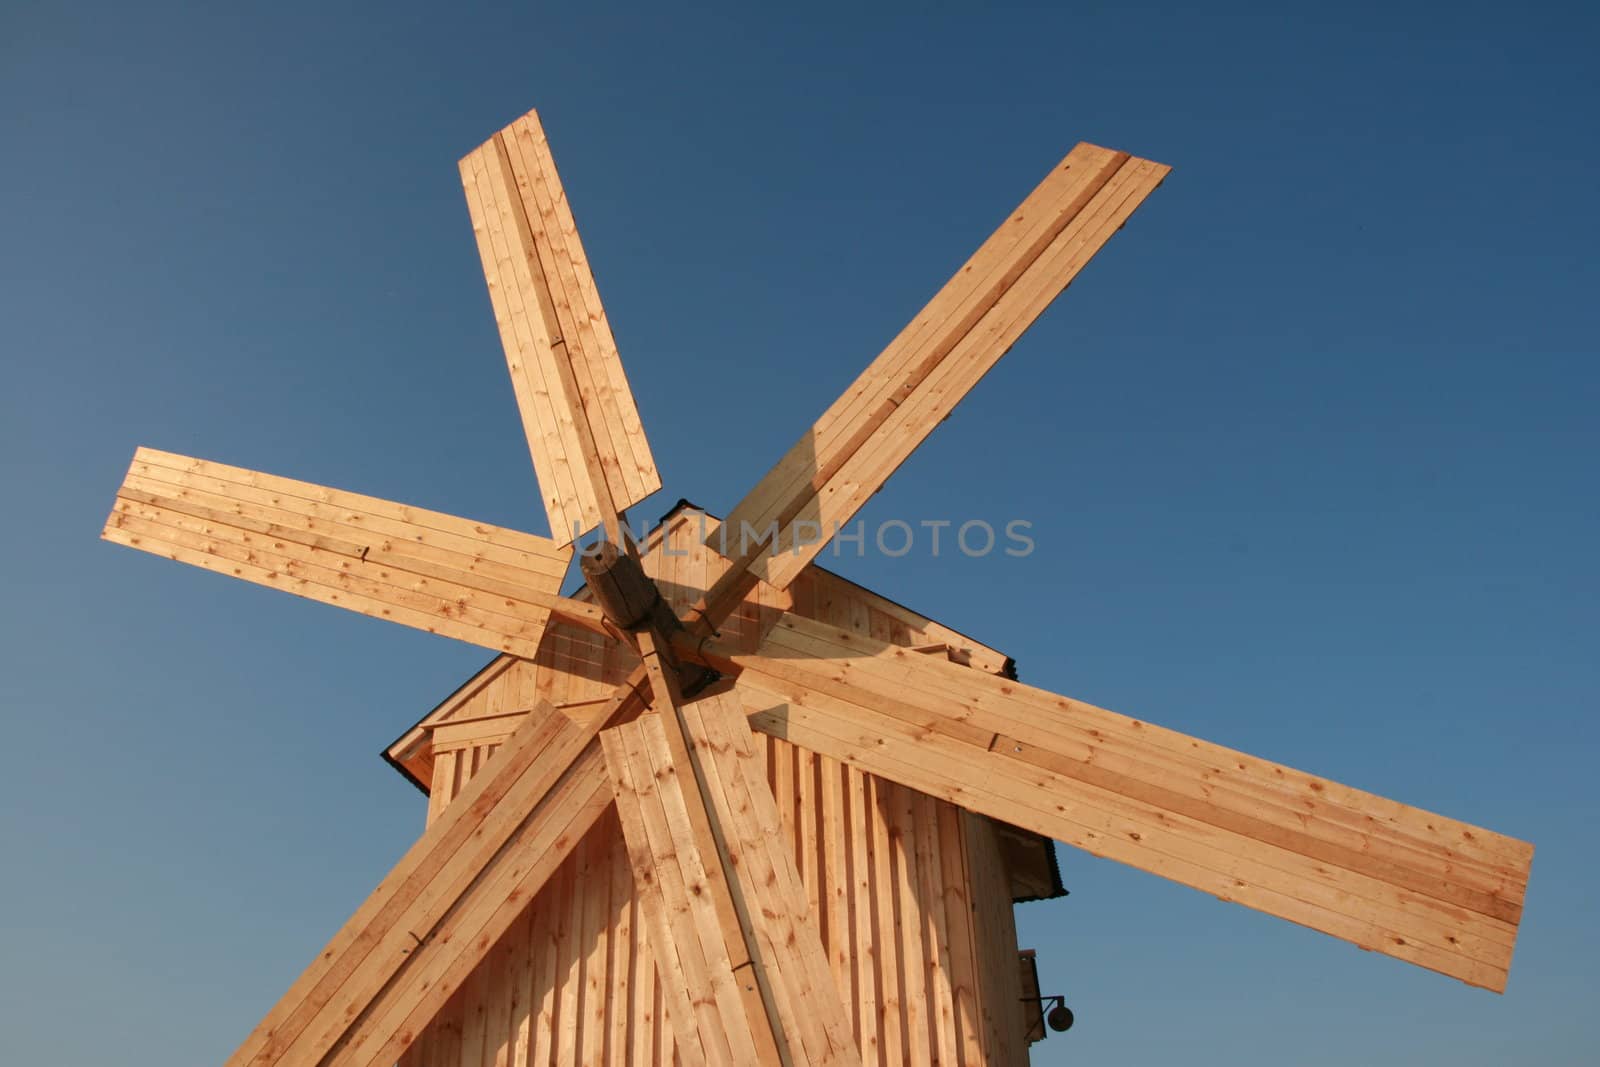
(452, 577)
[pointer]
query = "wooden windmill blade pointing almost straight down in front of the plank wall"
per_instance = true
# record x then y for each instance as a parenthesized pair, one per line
(761, 993)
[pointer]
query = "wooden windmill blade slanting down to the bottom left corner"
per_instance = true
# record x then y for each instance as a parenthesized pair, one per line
(434, 919)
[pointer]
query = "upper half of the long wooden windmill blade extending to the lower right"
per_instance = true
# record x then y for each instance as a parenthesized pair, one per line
(1422, 850)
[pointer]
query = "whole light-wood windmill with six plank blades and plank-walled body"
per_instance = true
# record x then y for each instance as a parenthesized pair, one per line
(722, 807)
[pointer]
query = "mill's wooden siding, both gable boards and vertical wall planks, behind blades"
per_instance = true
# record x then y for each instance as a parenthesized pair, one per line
(908, 890)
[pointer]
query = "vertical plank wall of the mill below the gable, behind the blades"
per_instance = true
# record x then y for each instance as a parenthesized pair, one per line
(911, 895)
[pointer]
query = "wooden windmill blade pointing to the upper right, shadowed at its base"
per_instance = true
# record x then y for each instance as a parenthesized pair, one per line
(919, 380)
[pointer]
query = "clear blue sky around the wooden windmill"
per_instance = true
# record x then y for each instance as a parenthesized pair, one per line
(1310, 452)
